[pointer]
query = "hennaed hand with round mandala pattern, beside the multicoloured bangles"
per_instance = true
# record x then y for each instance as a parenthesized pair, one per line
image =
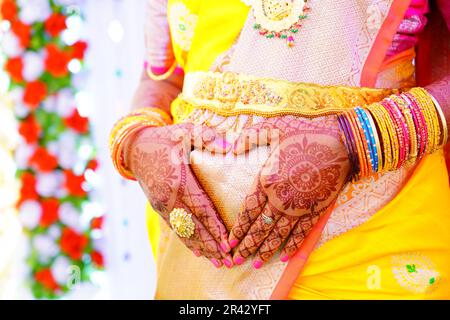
(306, 169)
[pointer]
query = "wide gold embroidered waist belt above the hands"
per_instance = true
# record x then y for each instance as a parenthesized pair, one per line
(231, 94)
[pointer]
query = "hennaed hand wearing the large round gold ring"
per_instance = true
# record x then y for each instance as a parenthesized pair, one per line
(159, 159)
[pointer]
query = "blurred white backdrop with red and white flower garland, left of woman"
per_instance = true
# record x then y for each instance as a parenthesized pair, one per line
(70, 227)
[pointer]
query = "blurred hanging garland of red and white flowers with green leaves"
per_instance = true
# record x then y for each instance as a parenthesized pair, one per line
(56, 155)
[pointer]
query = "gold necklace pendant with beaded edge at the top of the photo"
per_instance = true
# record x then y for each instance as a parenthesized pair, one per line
(278, 19)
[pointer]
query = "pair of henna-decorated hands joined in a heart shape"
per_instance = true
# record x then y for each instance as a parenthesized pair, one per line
(306, 169)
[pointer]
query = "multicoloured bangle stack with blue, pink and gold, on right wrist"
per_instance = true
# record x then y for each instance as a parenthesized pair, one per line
(398, 130)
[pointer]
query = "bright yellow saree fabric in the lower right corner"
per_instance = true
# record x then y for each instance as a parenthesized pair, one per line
(371, 261)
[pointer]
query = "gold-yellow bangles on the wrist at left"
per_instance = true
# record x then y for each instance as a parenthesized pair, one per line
(130, 125)
